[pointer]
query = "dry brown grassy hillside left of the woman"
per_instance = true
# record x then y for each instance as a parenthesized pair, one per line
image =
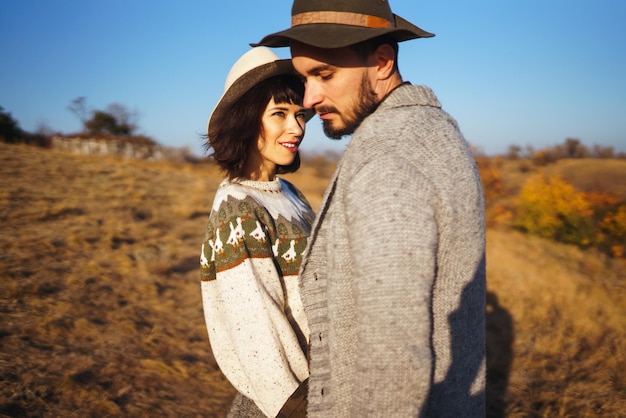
(101, 314)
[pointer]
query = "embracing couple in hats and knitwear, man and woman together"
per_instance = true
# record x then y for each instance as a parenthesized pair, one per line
(374, 306)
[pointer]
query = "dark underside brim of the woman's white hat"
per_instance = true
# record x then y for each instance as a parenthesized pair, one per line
(244, 84)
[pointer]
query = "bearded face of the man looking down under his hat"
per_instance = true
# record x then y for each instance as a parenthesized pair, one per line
(338, 86)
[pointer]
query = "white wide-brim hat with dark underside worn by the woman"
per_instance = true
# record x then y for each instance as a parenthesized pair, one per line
(251, 68)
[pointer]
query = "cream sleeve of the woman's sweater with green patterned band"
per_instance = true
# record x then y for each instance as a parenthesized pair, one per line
(244, 300)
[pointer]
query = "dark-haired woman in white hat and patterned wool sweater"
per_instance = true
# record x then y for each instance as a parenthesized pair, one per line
(256, 234)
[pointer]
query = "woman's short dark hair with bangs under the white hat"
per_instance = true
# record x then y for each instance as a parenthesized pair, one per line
(236, 138)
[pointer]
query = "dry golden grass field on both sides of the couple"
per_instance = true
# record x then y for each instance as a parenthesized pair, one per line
(102, 317)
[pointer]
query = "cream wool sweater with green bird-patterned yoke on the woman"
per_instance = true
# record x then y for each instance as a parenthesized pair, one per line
(251, 254)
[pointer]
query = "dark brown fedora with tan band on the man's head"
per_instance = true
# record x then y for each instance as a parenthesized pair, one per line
(340, 23)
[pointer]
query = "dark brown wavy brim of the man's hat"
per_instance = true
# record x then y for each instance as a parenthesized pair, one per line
(330, 35)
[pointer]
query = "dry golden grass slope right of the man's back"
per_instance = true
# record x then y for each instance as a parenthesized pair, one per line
(556, 321)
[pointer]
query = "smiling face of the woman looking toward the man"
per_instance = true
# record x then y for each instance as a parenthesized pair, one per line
(282, 131)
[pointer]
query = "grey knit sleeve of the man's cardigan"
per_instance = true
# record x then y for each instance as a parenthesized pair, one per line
(394, 243)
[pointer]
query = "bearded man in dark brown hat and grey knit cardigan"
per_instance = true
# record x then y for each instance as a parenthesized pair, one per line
(393, 282)
